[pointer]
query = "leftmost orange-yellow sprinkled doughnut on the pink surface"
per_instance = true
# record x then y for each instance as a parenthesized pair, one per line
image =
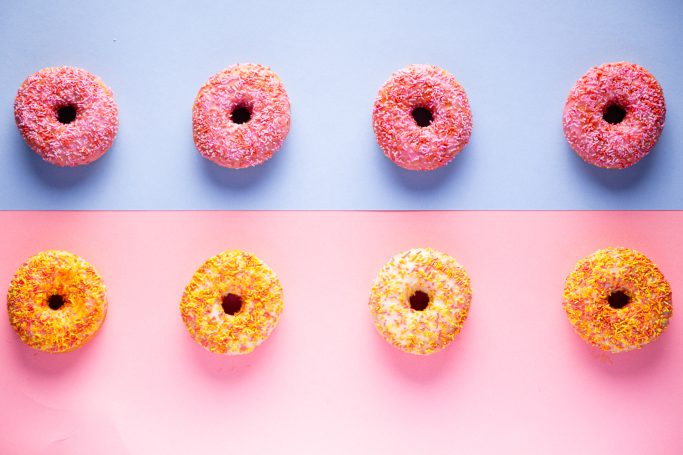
(56, 301)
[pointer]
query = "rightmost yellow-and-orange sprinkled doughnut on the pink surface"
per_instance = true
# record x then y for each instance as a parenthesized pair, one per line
(617, 299)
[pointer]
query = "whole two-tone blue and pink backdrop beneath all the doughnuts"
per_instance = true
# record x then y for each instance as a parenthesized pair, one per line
(517, 379)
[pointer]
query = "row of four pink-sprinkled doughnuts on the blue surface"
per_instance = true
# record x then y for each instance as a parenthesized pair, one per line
(612, 118)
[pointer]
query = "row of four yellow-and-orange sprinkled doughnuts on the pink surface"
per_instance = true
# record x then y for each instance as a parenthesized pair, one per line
(616, 299)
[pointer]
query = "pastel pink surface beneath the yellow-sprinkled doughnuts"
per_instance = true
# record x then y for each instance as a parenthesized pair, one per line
(516, 380)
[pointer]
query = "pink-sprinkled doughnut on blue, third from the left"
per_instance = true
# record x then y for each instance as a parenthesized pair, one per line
(422, 117)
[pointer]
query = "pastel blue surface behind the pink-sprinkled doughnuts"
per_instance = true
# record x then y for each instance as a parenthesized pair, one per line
(516, 59)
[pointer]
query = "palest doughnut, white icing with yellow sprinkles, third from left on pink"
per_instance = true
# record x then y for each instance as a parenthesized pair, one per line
(420, 300)
